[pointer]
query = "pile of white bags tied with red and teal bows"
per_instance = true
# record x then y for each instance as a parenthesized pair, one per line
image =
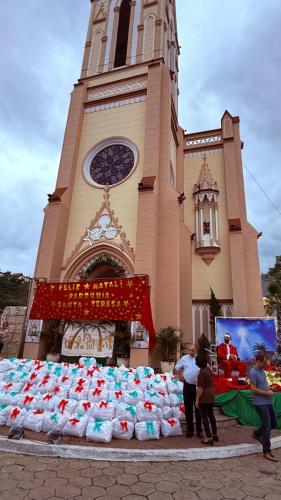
(87, 400)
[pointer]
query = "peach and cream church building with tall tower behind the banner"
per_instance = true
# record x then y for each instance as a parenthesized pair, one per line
(135, 194)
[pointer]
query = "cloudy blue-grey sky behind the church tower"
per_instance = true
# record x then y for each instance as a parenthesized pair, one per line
(230, 59)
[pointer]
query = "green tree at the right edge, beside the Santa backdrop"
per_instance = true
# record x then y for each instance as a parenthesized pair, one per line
(273, 304)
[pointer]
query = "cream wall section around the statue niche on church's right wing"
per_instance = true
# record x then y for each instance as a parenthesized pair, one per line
(218, 273)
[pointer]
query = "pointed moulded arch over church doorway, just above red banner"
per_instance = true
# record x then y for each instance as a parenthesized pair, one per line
(90, 257)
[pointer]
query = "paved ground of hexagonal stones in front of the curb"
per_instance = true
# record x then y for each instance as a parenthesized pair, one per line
(248, 478)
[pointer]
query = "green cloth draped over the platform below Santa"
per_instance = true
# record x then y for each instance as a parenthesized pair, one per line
(239, 404)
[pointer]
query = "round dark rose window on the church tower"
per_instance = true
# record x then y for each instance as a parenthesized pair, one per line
(112, 165)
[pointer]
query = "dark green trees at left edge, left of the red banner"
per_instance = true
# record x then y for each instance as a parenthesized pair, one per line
(14, 289)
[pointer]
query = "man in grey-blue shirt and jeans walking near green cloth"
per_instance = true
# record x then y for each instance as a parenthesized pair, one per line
(262, 400)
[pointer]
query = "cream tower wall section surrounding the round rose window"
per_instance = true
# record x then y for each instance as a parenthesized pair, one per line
(126, 121)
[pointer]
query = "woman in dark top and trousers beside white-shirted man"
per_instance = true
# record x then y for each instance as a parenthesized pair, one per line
(205, 396)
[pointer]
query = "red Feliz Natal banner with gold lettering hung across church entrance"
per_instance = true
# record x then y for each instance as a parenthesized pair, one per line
(124, 299)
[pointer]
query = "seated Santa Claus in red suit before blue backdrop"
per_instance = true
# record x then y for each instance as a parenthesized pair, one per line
(229, 360)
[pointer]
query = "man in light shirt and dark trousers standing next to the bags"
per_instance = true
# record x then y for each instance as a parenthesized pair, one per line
(188, 371)
